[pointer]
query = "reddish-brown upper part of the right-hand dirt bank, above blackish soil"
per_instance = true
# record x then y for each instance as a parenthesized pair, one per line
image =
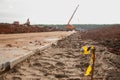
(106, 33)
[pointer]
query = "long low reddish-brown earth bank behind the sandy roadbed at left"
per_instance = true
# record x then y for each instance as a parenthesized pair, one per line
(10, 28)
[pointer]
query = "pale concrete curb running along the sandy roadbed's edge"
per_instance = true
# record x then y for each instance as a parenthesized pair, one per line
(5, 66)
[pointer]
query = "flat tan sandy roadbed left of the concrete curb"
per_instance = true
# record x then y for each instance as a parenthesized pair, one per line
(17, 45)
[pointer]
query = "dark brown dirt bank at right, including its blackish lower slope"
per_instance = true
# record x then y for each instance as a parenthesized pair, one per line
(109, 37)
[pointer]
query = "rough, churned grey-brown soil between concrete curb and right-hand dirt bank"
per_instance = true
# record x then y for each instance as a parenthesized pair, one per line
(64, 62)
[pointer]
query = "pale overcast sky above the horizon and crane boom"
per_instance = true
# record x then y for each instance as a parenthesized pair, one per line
(60, 11)
